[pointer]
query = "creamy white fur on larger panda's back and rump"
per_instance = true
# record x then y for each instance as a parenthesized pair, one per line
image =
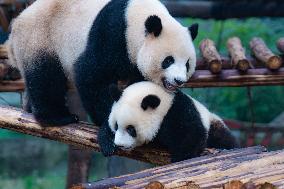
(57, 26)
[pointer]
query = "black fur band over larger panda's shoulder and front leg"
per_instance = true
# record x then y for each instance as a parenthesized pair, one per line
(105, 61)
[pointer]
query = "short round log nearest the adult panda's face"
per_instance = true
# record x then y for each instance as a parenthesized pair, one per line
(211, 56)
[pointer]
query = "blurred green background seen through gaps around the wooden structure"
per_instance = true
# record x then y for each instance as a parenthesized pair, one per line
(32, 163)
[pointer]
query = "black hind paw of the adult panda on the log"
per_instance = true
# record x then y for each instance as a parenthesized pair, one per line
(57, 121)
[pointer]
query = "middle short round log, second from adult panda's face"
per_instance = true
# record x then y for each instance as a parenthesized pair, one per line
(238, 54)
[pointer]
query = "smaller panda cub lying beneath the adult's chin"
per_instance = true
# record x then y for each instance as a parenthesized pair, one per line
(145, 112)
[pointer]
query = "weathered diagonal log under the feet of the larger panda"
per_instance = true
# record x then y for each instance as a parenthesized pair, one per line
(81, 135)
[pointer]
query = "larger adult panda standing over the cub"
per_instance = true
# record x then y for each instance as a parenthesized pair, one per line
(91, 44)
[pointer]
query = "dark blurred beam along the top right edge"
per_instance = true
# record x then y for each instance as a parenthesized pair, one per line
(225, 9)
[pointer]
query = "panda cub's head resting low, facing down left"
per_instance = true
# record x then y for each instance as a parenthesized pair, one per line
(137, 114)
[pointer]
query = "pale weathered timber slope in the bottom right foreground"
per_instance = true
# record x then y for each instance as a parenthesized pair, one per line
(213, 171)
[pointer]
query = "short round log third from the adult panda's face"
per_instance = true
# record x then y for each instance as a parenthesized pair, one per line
(264, 54)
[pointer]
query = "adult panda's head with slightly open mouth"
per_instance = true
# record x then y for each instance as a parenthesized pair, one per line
(167, 56)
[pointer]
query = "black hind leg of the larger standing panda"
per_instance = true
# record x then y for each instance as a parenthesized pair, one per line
(46, 90)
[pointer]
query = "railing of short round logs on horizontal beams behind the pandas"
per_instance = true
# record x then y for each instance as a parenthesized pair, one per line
(213, 70)
